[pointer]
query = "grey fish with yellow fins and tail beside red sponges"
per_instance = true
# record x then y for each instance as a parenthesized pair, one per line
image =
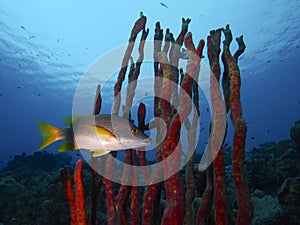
(99, 134)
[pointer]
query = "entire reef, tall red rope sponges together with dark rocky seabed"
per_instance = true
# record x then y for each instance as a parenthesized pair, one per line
(32, 192)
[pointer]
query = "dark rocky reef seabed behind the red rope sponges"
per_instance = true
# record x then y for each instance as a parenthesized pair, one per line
(32, 191)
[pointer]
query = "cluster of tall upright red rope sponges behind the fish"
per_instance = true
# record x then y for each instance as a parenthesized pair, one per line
(174, 107)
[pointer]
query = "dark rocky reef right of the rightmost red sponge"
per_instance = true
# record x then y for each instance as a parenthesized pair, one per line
(273, 173)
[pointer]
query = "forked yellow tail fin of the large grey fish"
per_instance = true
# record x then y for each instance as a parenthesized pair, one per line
(49, 134)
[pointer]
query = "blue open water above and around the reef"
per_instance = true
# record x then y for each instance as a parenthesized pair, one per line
(46, 46)
